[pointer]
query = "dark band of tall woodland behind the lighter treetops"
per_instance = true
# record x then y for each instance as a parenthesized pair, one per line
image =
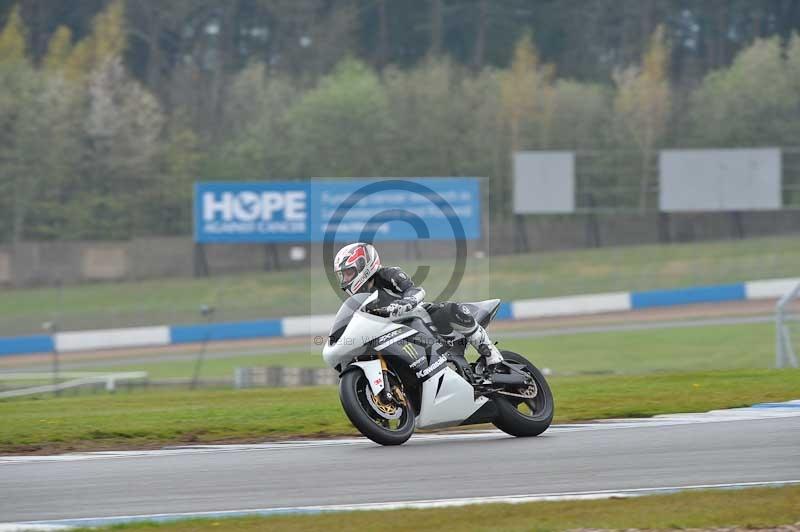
(586, 38)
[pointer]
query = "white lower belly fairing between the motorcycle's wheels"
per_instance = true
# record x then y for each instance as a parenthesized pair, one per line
(454, 403)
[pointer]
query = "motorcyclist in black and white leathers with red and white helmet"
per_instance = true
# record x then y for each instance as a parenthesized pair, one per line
(359, 269)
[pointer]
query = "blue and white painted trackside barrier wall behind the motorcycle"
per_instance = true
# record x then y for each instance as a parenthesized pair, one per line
(319, 324)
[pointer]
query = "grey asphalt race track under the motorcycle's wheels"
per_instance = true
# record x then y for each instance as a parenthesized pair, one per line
(739, 446)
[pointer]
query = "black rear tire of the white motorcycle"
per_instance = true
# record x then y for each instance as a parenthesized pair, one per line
(516, 423)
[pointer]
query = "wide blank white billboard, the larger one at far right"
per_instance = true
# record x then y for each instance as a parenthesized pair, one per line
(720, 180)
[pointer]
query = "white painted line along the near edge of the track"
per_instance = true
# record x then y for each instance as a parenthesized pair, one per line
(63, 524)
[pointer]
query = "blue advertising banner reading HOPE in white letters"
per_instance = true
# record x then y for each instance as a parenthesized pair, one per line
(353, 209)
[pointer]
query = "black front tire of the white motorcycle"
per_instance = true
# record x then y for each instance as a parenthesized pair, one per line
(353, 388)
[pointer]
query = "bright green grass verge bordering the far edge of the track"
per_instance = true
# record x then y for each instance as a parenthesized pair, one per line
(142, 419)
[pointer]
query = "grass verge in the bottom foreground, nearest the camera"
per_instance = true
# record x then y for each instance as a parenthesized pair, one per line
(750, 508)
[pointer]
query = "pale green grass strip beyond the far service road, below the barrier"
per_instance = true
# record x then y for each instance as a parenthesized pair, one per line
(678, 349)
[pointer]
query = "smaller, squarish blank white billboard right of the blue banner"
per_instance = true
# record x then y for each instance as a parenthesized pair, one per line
(544, 182)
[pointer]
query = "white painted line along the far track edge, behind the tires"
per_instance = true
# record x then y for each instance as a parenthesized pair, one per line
(755, 412)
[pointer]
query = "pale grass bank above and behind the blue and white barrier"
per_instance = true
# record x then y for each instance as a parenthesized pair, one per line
(508, 277)
